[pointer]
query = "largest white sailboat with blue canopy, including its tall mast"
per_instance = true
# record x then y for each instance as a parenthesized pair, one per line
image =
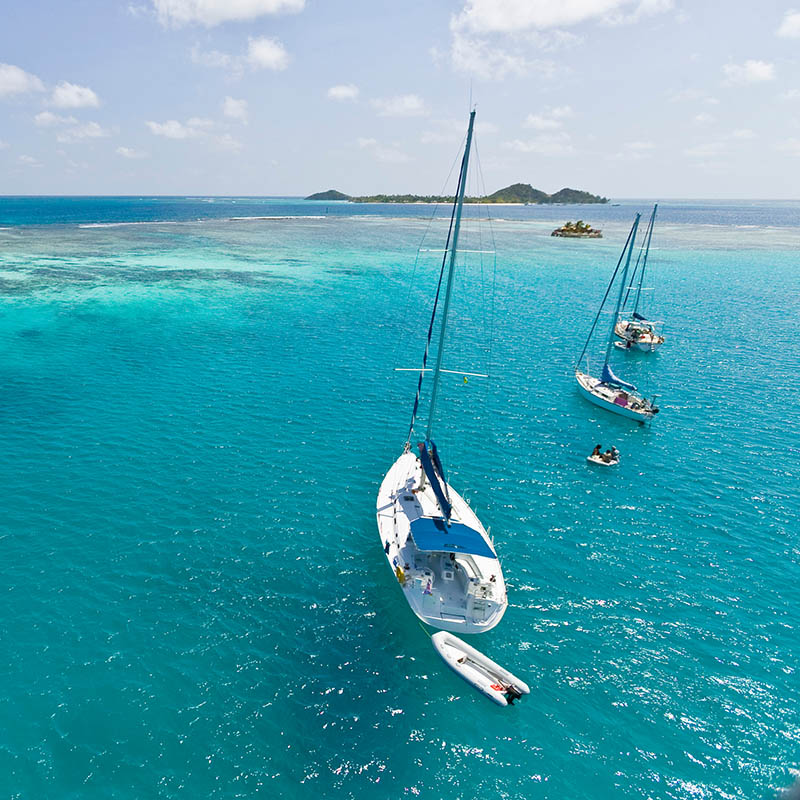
(435, 545)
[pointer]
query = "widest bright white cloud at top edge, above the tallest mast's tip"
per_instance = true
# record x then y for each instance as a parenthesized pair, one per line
(513, 16)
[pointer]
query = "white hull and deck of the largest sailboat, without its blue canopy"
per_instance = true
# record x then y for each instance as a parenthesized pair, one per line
(463, 594)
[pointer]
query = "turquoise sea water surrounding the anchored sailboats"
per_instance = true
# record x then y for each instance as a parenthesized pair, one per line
(195, 420)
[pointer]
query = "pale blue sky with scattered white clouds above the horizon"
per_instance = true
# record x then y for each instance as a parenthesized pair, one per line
(624, 98)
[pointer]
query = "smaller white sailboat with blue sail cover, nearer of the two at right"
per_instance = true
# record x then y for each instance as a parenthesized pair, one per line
(608, 391)
